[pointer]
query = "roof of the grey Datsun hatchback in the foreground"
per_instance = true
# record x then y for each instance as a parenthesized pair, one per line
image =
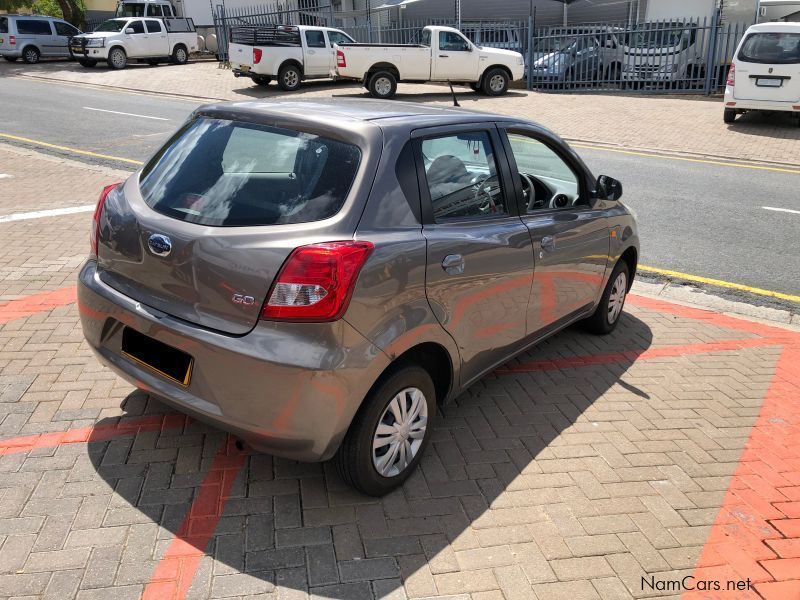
(348, 109)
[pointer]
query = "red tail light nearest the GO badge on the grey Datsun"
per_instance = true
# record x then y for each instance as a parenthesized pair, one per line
(316, 282)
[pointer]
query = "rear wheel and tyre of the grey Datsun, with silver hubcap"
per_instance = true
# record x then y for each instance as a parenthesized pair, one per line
(394, 420)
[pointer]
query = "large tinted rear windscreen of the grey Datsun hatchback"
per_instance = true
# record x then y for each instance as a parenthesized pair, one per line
(227, 174)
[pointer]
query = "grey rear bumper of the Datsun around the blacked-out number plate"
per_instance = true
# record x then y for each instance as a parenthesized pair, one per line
(289, 389)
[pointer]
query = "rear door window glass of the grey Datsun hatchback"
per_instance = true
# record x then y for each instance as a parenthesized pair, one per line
(462, 177)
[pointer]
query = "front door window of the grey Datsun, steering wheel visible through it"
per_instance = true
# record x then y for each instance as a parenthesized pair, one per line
(548, 182)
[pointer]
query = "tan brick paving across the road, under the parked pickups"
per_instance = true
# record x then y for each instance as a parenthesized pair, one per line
(692, 124)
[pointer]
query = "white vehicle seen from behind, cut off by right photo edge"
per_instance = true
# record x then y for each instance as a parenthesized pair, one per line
(765, 74)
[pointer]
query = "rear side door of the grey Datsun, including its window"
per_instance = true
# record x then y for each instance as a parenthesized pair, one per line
(480, 261)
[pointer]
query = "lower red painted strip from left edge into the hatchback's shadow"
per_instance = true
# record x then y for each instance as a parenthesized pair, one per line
(93, 434)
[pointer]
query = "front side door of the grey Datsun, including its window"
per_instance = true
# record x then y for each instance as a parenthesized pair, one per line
(571, 239)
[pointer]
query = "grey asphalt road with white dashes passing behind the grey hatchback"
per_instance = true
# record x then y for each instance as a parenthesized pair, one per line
(703, 219)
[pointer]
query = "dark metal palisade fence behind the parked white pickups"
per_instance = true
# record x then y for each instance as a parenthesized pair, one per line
(676, 56)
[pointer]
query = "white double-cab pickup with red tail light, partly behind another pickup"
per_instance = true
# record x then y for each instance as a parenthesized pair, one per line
(291, 53)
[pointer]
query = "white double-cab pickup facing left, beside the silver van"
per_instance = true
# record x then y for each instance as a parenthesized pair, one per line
(150, 40)
